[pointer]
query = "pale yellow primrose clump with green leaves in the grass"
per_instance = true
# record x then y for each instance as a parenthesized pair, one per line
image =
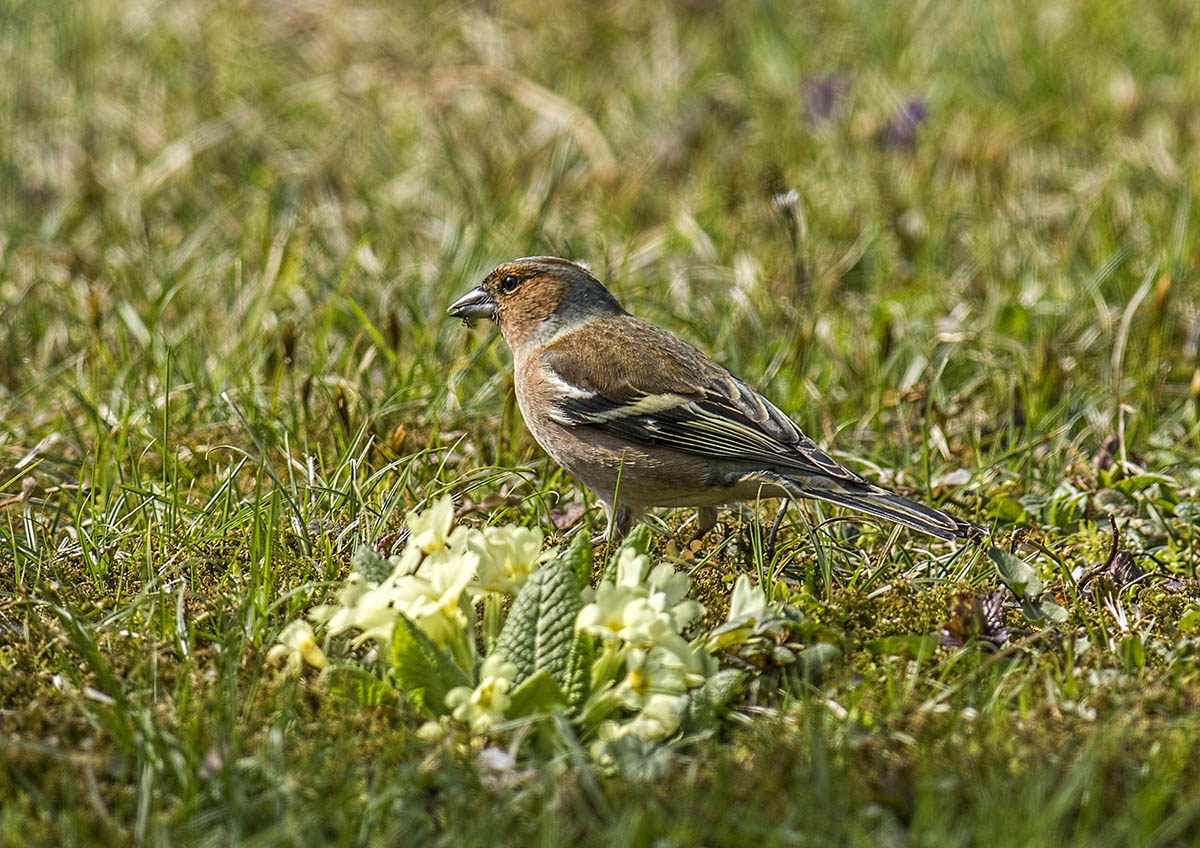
(621, 660)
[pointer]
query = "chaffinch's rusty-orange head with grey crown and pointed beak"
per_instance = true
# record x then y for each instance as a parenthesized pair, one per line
(536, 298)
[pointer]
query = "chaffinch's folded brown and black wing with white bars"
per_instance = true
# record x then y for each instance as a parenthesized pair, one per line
(641, 383)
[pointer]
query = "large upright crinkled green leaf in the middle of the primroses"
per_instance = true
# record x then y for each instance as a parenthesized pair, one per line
(541, 629)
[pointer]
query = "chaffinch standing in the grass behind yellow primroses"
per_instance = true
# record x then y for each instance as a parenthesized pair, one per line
(646, 420)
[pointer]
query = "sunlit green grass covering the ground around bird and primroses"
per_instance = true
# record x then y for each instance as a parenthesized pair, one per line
(229, 234)
